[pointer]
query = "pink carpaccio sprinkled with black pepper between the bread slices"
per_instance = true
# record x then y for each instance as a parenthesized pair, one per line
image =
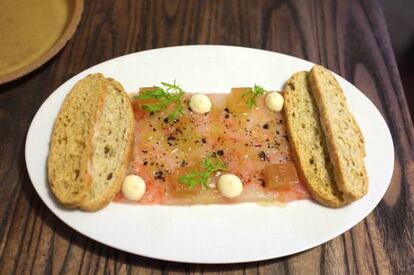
(251, 142)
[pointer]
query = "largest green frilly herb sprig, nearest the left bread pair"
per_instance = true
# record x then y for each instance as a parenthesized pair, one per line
(164, 96)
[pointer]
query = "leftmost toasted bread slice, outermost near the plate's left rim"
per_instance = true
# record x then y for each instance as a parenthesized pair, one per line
(70, 147)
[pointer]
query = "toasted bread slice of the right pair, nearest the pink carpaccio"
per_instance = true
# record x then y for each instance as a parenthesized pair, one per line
(308, 142)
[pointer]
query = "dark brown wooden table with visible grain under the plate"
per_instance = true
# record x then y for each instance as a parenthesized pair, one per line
(349, 37)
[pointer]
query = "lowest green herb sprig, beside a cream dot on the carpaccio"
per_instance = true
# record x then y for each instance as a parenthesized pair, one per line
(210, 165)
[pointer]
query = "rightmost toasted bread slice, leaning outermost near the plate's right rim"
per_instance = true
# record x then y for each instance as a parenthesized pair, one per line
(343, 136)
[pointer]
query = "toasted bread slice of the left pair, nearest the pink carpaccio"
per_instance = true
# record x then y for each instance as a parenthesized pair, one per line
(112, 143)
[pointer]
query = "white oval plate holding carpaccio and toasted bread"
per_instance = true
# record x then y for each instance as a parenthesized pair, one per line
(213, 233)
